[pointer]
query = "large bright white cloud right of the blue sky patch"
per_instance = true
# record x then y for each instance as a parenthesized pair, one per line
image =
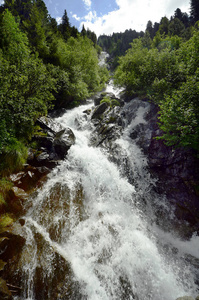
(133, 14)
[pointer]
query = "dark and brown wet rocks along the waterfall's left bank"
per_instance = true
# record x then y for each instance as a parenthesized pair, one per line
(52, 147)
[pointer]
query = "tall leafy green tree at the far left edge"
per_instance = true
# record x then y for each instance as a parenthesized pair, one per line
(25, 83)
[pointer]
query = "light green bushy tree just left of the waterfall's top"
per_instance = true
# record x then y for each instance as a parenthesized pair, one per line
(79, 60)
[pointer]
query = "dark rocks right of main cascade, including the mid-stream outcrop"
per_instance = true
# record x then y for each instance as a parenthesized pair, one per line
(176, 169)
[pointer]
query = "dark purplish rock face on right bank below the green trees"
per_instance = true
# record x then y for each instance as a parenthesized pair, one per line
(176, 169)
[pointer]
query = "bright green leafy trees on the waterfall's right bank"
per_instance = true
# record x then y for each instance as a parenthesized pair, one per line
(168, 74)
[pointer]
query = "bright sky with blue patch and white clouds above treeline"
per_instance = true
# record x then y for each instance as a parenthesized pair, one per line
(108, 16)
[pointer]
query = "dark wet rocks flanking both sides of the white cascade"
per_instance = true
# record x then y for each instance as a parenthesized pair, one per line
(175, 171)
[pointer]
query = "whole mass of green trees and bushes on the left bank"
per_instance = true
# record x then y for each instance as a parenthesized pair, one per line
(40, 62)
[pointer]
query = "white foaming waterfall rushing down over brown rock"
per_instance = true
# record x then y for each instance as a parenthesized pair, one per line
(91, 233)
